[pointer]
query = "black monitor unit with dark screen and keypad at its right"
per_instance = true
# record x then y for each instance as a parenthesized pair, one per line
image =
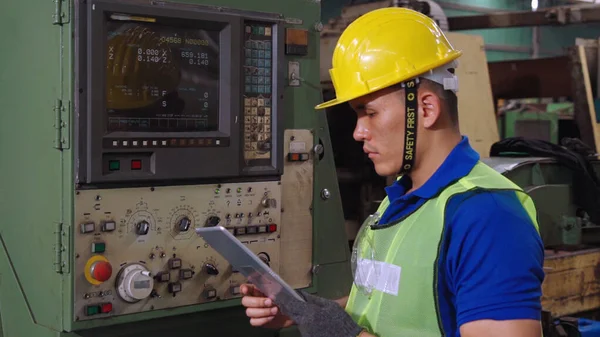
(164, 87)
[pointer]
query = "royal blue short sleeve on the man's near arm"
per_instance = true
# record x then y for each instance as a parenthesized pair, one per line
(494, 258)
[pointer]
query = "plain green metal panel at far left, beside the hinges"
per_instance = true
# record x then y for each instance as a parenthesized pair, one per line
(30, 198)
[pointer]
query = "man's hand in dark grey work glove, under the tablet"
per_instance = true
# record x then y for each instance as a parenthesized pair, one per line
(318, 316)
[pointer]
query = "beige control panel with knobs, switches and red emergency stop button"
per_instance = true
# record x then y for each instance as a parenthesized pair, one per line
(136, 249)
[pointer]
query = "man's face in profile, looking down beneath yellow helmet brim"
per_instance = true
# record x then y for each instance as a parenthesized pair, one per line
(380, 125)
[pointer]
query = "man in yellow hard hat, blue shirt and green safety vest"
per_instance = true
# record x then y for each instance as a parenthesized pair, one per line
(454, 249)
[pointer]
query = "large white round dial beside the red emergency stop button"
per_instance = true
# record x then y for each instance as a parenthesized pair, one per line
(134, 283)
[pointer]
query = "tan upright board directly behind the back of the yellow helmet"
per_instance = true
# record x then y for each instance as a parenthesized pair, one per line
(475, 102)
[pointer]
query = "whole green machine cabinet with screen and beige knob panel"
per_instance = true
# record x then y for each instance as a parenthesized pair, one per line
(127, 124)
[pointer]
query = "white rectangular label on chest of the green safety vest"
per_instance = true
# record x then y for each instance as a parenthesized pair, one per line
(378, 275)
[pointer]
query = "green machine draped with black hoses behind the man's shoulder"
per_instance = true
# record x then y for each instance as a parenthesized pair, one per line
(561, 195)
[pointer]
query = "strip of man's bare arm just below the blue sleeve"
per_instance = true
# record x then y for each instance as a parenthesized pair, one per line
(491, 328)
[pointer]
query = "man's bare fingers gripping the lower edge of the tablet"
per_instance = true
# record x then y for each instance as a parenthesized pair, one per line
(261, 310)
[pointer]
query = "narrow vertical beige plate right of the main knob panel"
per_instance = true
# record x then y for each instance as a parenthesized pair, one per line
(296, 234)
